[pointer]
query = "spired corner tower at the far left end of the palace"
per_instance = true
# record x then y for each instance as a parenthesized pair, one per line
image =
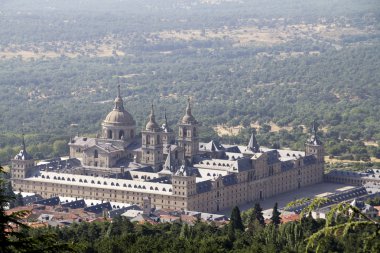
(22, 163)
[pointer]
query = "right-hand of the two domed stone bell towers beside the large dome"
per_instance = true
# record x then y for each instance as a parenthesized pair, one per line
(188, 138)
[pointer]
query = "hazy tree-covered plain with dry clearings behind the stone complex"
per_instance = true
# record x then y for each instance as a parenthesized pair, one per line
(282, 62)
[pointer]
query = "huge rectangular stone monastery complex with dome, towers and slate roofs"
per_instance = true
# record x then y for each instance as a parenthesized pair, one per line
(170, 172)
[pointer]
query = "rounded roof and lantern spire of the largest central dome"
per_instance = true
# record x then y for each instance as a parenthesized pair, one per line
(119, 116)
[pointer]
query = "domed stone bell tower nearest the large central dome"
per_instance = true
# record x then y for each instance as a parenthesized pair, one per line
(152, 147)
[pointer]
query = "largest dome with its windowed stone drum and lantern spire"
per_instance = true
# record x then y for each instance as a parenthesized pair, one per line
(119, 123)
